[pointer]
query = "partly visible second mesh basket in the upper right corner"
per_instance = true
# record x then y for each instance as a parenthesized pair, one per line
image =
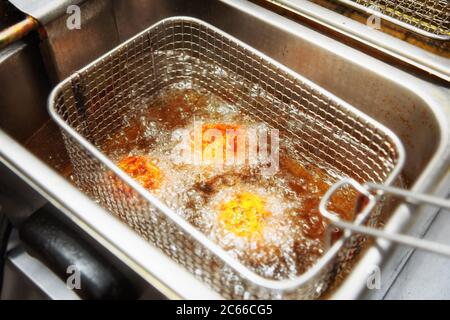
(430, 18)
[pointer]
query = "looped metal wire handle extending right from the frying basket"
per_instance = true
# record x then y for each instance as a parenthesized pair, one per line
(356, 225)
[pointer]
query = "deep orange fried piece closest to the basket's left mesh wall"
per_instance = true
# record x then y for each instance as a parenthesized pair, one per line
(143, 170)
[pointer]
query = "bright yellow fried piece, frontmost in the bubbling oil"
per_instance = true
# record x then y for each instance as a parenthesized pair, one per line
(244, 215)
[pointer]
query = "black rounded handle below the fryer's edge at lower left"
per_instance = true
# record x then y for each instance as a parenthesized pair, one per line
(58, 245)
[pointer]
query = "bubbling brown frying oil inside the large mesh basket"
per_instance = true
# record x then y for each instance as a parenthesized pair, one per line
(287, 237)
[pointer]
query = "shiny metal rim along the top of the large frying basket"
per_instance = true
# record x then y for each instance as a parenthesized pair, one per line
(242, 270)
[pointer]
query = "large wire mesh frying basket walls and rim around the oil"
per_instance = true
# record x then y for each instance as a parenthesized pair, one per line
(93, 102)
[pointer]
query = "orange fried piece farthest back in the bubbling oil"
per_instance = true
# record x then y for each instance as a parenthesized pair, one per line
(218, 138)
